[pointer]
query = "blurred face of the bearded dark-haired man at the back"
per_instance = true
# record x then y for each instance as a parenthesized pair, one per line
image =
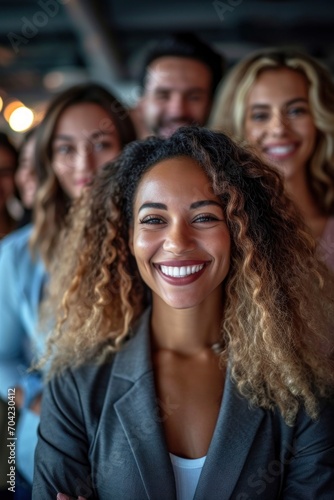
(177, 93)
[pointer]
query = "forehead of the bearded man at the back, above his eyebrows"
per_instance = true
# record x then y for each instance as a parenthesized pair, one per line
(174, 72)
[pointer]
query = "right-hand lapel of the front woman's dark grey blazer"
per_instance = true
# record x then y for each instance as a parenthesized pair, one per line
(235, 432)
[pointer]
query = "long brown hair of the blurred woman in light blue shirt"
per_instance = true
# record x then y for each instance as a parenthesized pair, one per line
(52, 203)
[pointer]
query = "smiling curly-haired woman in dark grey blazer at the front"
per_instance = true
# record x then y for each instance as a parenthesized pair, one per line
(184, 355)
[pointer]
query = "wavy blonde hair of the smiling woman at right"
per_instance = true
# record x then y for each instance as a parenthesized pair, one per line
(230, 104)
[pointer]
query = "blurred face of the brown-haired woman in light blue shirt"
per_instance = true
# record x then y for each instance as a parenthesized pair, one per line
(84, 139)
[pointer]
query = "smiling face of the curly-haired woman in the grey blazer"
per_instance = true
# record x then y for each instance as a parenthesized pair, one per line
(179, 237)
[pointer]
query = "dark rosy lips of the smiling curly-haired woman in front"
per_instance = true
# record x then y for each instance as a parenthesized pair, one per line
(182, 280)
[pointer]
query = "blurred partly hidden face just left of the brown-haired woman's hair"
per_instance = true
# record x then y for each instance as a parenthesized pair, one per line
(25, 178)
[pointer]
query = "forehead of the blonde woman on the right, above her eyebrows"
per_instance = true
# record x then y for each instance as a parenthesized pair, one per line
(283, 83)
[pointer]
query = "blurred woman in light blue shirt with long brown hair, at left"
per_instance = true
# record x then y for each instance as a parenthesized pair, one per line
(84, 127)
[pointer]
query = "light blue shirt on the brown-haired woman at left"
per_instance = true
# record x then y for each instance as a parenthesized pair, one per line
(21, 285)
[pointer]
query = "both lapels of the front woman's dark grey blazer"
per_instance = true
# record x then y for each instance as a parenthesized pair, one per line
(138, 412)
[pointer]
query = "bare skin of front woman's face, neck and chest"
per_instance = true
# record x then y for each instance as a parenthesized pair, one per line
(181, 231)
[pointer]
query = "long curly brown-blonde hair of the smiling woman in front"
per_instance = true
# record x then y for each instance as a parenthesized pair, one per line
(278, 308)
